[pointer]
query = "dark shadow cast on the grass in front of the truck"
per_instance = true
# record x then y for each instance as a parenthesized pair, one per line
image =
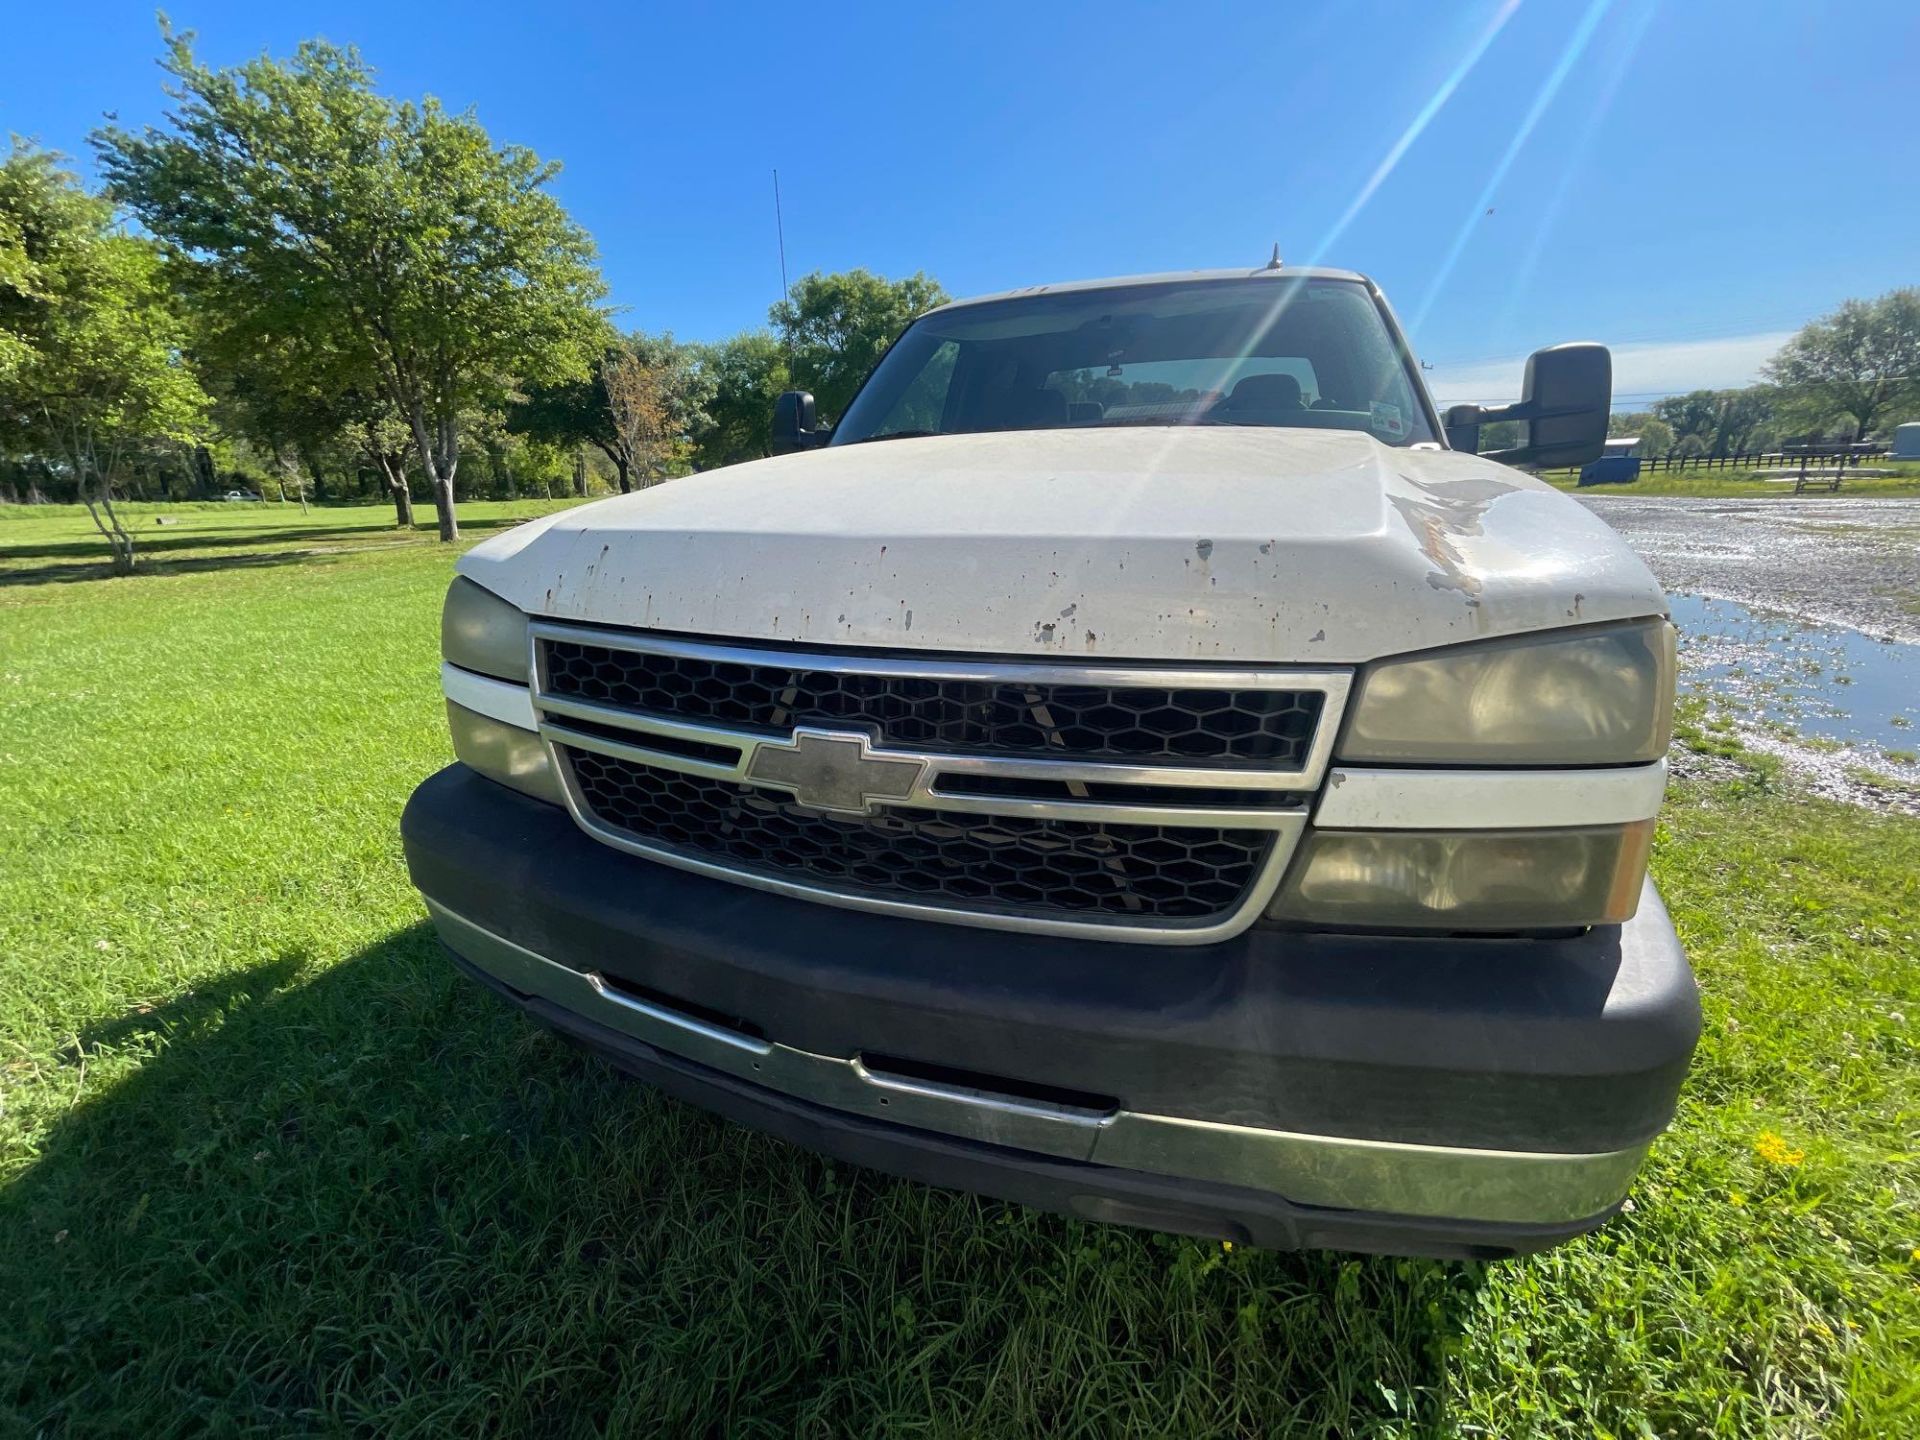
(372, 1197)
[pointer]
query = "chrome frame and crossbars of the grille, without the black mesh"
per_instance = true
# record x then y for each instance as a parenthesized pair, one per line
(1276, 794)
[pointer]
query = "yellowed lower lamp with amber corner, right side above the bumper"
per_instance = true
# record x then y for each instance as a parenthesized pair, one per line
(1468, 878)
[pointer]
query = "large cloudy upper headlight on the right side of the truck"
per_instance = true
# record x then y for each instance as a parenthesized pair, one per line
(1587, 698)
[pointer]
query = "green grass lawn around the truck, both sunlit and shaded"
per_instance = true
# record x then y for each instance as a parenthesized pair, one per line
(268, 1166)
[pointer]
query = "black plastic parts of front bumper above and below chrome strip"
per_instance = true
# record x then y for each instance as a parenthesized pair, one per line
(1568, 1045)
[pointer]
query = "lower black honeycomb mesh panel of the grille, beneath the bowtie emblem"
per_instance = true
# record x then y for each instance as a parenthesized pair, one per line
(953, 859)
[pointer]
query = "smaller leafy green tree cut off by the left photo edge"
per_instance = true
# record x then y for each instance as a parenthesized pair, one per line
(91, 343)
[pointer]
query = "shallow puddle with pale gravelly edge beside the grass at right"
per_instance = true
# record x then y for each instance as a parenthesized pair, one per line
(1838, 708)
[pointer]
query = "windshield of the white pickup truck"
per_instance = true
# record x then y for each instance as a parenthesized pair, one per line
(1301, 354)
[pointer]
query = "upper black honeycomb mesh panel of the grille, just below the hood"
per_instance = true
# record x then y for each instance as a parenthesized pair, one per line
(1143, 725)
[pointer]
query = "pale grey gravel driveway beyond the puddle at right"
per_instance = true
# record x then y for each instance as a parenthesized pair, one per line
(1835, 562)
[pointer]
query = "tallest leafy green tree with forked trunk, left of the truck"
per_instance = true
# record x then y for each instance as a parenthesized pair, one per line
(304, 203)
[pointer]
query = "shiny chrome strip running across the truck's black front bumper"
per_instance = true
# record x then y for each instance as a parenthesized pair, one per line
(1314, 1170)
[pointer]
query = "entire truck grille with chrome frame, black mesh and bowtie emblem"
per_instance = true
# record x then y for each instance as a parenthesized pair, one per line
(1151, 804)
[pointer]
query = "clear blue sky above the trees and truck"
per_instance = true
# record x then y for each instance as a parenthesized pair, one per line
(1685, 181)
